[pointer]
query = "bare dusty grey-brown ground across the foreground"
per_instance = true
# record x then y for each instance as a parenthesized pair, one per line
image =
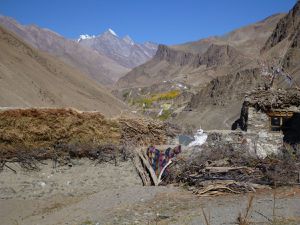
(85, 193)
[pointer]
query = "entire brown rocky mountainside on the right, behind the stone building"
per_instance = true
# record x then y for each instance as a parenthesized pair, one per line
(219, 71)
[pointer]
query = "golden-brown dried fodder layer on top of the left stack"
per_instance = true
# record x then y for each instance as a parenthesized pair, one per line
(35, 128)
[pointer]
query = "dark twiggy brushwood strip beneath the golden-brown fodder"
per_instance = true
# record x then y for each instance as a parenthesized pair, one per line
(62, 154)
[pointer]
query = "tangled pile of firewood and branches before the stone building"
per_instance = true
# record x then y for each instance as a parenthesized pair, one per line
(215, 173)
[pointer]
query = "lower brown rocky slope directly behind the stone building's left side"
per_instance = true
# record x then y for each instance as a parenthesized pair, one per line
(218, 104)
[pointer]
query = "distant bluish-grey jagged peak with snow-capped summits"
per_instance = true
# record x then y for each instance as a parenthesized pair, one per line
(124, 51)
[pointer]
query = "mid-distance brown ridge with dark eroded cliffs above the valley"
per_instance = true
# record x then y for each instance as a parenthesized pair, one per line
(169, 63)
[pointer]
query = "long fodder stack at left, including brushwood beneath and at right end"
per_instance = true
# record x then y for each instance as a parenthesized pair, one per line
(62, 133)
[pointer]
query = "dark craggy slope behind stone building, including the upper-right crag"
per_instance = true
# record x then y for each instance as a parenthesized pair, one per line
(218, 104)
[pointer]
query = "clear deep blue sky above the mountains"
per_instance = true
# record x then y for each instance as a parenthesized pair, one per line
(161, 21)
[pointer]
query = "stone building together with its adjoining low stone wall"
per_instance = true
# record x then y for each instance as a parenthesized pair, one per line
(269, 122)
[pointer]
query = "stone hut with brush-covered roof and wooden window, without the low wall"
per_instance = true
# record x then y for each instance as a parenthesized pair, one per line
(270, 119)
